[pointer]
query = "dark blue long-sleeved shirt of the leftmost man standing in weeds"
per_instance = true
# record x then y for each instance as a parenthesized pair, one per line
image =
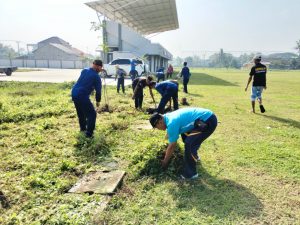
(87, 82)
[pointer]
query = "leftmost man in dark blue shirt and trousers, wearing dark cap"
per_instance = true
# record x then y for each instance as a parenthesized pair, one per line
(88, 81)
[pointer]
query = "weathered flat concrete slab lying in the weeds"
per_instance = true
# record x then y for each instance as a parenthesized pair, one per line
(99, 182)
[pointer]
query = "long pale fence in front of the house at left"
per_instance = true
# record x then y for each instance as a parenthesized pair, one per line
(35, 63)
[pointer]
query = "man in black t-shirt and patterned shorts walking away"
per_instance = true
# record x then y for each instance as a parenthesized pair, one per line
(258, 72)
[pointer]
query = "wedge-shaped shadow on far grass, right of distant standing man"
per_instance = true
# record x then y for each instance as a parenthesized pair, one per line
(205, 79)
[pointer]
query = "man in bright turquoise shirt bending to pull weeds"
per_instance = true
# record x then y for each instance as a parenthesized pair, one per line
(195, 125)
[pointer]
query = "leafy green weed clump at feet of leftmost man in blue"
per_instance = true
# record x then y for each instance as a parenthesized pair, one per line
(92, 149)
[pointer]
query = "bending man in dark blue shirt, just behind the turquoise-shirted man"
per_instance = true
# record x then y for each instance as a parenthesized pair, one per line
(168, 90)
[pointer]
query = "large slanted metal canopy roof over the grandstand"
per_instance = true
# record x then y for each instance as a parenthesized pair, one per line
(144, 16)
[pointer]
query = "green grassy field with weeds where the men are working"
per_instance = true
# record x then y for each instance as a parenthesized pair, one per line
(249, 174)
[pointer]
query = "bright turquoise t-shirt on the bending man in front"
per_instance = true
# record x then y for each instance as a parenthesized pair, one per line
(182, 121)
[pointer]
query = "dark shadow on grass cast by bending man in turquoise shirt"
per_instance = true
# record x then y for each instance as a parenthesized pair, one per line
(220, 198)
